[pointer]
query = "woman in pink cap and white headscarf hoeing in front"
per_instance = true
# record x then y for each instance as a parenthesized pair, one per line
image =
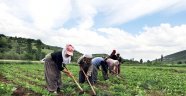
(54, 63)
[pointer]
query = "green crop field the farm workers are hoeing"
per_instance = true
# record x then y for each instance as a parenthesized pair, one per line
(28, 80)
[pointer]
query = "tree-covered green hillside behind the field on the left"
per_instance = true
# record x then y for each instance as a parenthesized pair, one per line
(18, 48)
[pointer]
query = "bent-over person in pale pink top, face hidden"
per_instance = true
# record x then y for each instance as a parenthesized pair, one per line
(113, 65)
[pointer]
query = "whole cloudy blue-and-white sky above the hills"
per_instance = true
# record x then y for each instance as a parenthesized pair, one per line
(139, 29)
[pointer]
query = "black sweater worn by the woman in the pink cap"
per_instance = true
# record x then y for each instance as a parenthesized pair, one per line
(58, 59)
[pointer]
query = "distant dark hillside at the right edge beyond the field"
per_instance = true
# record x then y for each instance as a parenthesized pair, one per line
(176, 57)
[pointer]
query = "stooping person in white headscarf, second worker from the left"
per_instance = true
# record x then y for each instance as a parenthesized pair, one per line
(86, 66)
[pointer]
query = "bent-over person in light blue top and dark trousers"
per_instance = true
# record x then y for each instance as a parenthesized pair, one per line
(97, 62)
